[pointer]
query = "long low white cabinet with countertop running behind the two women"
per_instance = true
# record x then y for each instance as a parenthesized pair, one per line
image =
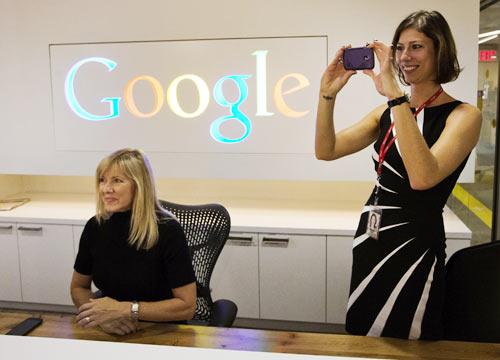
(285, 261)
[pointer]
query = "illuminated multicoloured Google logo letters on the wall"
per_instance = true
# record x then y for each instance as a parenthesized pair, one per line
(170, 96)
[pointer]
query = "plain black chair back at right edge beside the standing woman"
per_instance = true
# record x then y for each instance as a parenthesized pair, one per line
(472, 306)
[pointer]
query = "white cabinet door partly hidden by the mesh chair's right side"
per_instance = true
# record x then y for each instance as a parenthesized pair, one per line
(236, 274)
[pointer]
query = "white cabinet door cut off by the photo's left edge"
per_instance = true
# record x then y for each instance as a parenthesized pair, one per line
(10, 279)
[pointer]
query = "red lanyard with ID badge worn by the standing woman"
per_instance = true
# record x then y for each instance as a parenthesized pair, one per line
(375, 214)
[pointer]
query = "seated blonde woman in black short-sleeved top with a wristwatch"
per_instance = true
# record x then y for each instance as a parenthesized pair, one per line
(133, 251)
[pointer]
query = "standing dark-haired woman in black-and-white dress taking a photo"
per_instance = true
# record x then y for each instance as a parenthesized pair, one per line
(421, 144)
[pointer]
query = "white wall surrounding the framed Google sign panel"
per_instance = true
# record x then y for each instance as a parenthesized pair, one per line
(28, 138)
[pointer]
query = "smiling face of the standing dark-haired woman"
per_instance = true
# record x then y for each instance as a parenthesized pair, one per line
(415, 57)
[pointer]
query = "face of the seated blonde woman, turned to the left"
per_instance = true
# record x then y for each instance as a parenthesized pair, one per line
(116, 190)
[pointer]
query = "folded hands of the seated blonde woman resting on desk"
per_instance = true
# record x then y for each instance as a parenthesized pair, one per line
(100, 311)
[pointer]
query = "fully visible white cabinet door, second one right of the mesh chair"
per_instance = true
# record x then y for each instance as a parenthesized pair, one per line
(292, 277)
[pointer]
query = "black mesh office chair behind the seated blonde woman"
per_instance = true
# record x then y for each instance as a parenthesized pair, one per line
(207, 229)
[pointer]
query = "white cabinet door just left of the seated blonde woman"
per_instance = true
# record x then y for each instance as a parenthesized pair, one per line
(46, 254)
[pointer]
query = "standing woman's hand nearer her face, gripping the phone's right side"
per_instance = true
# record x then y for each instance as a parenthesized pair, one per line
(385, 81)
